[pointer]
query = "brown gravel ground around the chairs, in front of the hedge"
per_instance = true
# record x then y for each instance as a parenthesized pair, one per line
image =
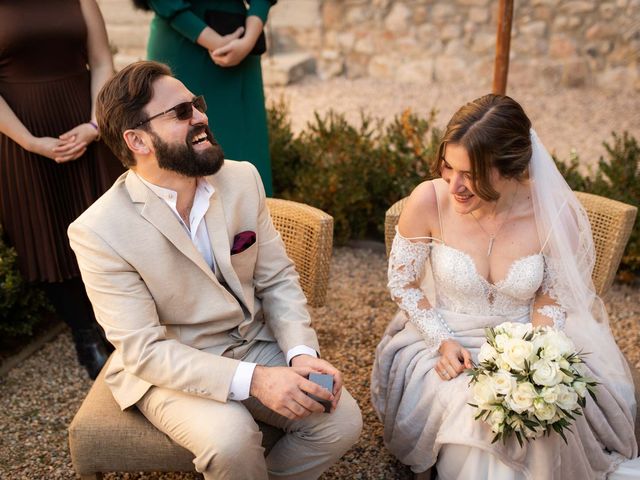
(39, 398)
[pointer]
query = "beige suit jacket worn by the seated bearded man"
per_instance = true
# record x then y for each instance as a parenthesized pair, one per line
(160, 304)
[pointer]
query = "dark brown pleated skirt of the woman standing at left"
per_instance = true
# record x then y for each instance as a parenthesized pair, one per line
(38, 197)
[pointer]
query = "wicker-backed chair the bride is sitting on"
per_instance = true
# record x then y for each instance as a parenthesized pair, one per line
(611, 224)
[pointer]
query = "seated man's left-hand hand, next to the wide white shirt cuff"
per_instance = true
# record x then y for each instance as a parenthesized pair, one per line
(284, 390)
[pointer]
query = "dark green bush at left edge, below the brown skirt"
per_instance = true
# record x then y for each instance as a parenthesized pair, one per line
(21, 305)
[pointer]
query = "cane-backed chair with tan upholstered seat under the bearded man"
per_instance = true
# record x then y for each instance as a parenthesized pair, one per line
(102, 438)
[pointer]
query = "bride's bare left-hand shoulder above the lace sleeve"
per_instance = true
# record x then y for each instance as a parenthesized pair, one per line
(420, 210)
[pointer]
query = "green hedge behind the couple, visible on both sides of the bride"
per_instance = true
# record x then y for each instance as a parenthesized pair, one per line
(356, 172)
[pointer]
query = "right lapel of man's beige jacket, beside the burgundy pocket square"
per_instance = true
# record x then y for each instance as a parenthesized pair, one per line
(219, 237)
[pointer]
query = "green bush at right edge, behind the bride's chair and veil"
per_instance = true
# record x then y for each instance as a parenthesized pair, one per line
(618, 178)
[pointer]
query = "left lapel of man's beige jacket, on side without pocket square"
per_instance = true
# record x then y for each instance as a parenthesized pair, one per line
(160, 216)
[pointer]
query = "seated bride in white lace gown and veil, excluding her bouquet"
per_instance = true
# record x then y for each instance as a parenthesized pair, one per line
(499, 237)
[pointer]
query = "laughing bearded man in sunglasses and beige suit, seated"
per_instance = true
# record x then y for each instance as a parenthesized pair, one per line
(192, 285)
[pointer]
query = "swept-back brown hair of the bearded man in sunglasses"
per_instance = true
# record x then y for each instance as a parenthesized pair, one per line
(121, 101)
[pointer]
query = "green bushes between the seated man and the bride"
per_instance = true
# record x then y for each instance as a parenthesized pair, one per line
(352, 172)
